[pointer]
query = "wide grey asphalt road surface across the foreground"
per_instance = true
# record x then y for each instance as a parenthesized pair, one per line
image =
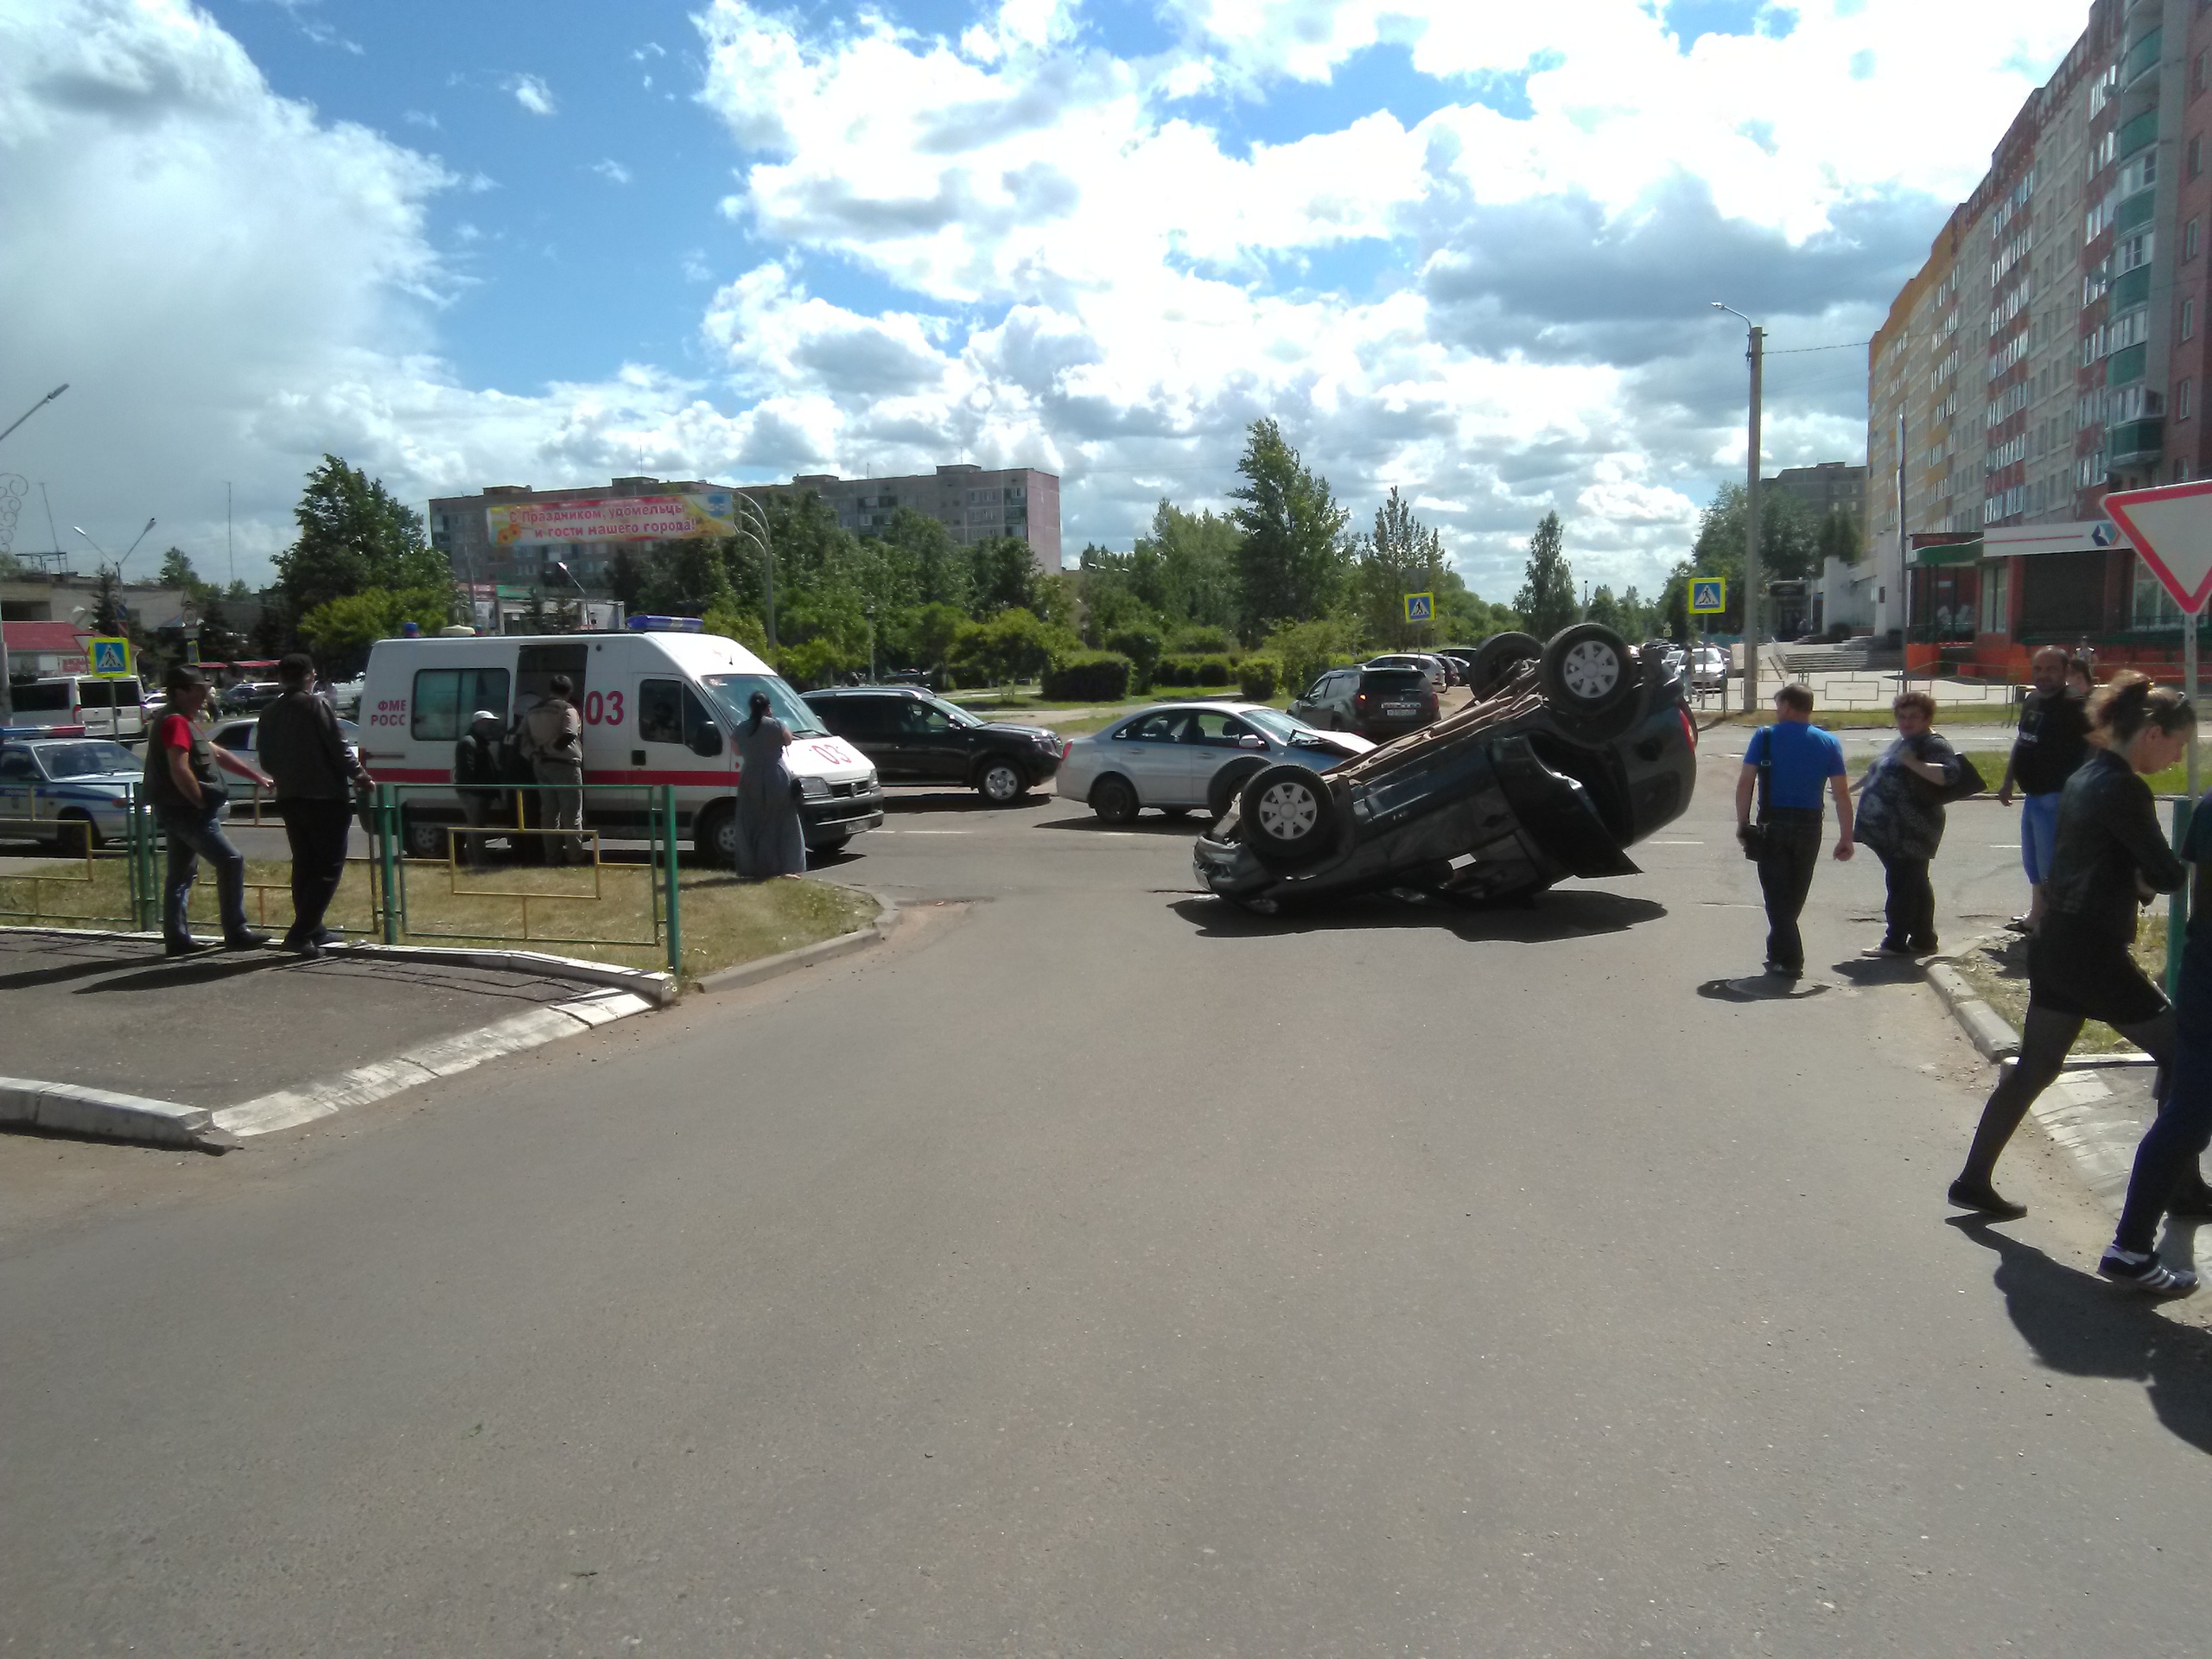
(1098, 1271)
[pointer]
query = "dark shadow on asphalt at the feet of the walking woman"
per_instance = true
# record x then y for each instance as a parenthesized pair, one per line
(2087, 1328)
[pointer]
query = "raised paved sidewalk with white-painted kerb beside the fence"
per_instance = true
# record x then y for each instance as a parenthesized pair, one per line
(227, 1027)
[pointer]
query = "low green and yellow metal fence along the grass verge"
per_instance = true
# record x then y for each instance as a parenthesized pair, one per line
(552, 888)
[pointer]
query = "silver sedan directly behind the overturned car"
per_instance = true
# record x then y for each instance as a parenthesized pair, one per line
(1178, 758)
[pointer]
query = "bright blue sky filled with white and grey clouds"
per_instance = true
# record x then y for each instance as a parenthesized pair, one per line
(1457, 247)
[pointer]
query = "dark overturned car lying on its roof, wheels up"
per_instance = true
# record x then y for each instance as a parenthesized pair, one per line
(1572, 753)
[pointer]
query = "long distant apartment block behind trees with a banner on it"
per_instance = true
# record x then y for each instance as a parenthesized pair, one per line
(512, 534)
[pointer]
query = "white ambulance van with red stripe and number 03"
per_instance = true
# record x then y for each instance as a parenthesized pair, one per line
(658, 705)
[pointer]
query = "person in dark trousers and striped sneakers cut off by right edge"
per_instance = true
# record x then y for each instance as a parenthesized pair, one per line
(2169, 1171)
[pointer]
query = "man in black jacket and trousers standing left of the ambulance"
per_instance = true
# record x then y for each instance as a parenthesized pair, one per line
(317, 778)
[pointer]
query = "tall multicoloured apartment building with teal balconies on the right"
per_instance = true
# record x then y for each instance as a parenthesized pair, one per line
(2047, 353)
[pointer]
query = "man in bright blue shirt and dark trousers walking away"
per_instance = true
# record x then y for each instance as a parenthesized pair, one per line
(1799, 760)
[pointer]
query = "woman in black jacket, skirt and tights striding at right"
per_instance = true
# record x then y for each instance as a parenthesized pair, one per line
(2109, 855)
